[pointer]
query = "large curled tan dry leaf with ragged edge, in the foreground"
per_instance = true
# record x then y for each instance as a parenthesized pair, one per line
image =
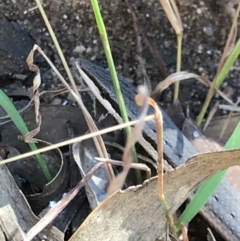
(137, 213)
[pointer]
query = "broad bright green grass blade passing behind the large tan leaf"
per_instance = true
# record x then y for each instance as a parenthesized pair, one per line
(209, 186)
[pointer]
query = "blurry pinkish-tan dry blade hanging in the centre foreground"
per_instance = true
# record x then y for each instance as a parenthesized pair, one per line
(118, 182)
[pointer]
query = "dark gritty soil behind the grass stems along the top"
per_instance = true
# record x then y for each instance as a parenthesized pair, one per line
(206, 27)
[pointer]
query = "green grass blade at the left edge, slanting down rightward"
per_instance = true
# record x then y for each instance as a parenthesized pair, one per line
(7, 105)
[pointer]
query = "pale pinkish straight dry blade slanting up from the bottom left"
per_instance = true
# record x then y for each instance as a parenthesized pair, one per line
(53, 212)
